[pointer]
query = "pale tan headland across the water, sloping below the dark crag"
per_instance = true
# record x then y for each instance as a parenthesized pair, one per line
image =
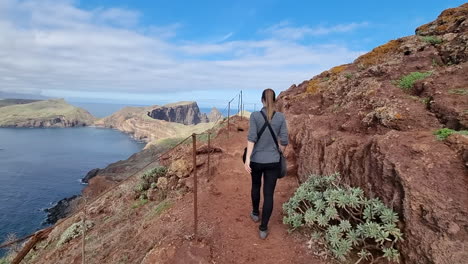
(138, 122)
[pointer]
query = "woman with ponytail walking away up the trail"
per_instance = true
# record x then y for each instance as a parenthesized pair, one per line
(263, 157)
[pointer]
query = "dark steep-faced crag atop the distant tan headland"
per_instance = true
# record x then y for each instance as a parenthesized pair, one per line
(186, 113)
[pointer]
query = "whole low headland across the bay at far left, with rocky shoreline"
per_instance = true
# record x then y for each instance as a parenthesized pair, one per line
(47, 113)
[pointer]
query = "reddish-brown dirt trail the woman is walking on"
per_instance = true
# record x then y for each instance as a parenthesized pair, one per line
(227, 234)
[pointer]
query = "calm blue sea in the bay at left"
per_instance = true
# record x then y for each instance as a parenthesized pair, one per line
(40, 166)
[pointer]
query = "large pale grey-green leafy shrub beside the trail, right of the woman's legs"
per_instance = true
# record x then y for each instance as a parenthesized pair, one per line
(344, 219)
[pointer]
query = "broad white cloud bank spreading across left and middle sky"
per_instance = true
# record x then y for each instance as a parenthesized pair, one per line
(54, 46)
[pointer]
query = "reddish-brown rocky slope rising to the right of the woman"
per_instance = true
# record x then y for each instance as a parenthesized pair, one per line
(373, 121)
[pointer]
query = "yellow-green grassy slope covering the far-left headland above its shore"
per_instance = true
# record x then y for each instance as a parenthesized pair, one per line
(42, 111)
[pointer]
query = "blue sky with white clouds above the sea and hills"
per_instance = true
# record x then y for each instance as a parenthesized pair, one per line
(155, 52)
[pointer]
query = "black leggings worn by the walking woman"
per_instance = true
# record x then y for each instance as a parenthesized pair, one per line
(270, 173)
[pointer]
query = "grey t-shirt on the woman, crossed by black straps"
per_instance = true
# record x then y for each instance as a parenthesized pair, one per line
(265, 150)
